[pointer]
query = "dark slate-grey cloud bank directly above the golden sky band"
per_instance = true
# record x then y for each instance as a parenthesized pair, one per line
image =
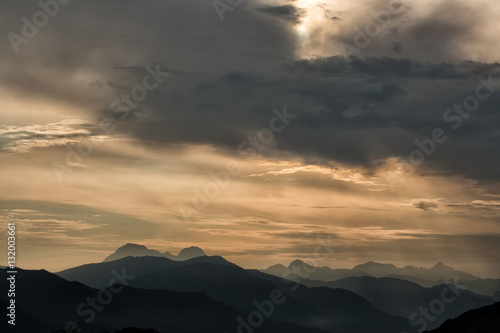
(355, 116)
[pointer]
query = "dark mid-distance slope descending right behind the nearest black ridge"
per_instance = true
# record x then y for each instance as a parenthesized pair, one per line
(338, 310)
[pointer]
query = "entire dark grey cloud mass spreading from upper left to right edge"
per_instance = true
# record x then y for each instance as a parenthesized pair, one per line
(227, 77)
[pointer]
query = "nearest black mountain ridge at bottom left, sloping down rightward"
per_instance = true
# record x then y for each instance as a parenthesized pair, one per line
(55, 301)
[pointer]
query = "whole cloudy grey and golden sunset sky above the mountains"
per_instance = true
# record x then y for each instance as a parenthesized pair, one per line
(253, 129)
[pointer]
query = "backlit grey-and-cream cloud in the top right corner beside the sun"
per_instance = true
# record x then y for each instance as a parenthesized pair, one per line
(448, 30)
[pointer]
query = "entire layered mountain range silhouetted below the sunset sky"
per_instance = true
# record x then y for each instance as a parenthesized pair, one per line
(159, 292)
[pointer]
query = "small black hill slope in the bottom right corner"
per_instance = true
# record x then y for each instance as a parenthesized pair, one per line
(483, 320)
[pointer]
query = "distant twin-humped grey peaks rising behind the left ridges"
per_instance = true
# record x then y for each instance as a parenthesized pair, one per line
(136, 250)
